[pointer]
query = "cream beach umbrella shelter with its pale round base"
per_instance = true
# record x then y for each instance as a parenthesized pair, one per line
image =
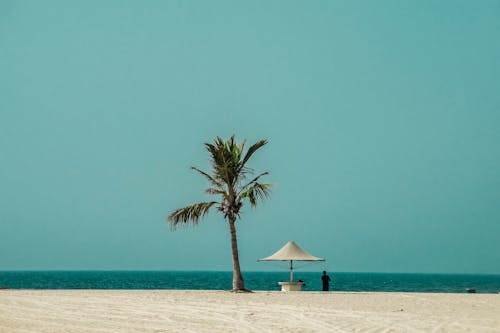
(290, 252)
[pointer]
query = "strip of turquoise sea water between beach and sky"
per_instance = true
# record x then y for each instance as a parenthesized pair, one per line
(446, 283)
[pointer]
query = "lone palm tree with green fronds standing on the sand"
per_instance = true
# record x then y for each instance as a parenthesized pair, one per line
(228, 180)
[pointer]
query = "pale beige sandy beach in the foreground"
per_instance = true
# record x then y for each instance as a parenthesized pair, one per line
(221, 311)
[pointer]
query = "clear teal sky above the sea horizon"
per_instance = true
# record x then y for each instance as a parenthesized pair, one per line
(382, 118)
